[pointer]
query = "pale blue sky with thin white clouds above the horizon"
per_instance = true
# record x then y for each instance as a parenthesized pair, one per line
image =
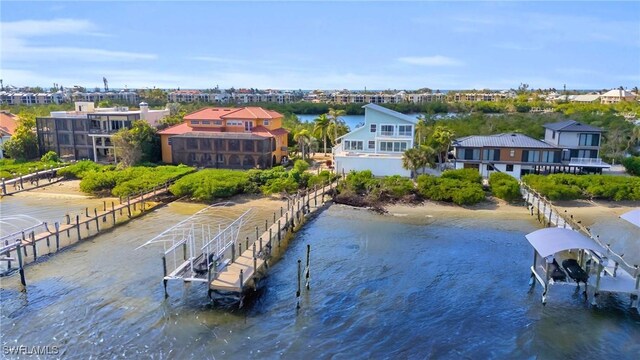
(326, 45)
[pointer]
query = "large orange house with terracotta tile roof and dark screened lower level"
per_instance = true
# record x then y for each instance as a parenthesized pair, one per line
(236, 138)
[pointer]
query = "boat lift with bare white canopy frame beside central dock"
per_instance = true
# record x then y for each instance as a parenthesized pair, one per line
(194, 246)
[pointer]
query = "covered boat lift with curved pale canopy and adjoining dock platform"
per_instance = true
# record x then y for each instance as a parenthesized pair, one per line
(583, 260)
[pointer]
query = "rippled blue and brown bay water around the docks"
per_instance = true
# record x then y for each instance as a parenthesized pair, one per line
(382, 287)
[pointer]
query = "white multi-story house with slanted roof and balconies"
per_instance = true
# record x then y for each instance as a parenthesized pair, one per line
(378, 145)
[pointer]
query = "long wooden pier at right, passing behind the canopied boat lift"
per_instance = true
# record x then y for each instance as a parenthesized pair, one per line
(616, 276)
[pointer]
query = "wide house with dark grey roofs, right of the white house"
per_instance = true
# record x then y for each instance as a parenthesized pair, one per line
(568, 146)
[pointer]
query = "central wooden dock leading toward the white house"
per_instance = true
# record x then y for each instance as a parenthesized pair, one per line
(243, 271)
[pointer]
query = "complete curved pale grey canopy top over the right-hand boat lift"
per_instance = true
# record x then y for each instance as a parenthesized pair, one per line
(551, 240)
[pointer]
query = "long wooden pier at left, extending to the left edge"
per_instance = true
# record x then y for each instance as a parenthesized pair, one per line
(25, 246)
